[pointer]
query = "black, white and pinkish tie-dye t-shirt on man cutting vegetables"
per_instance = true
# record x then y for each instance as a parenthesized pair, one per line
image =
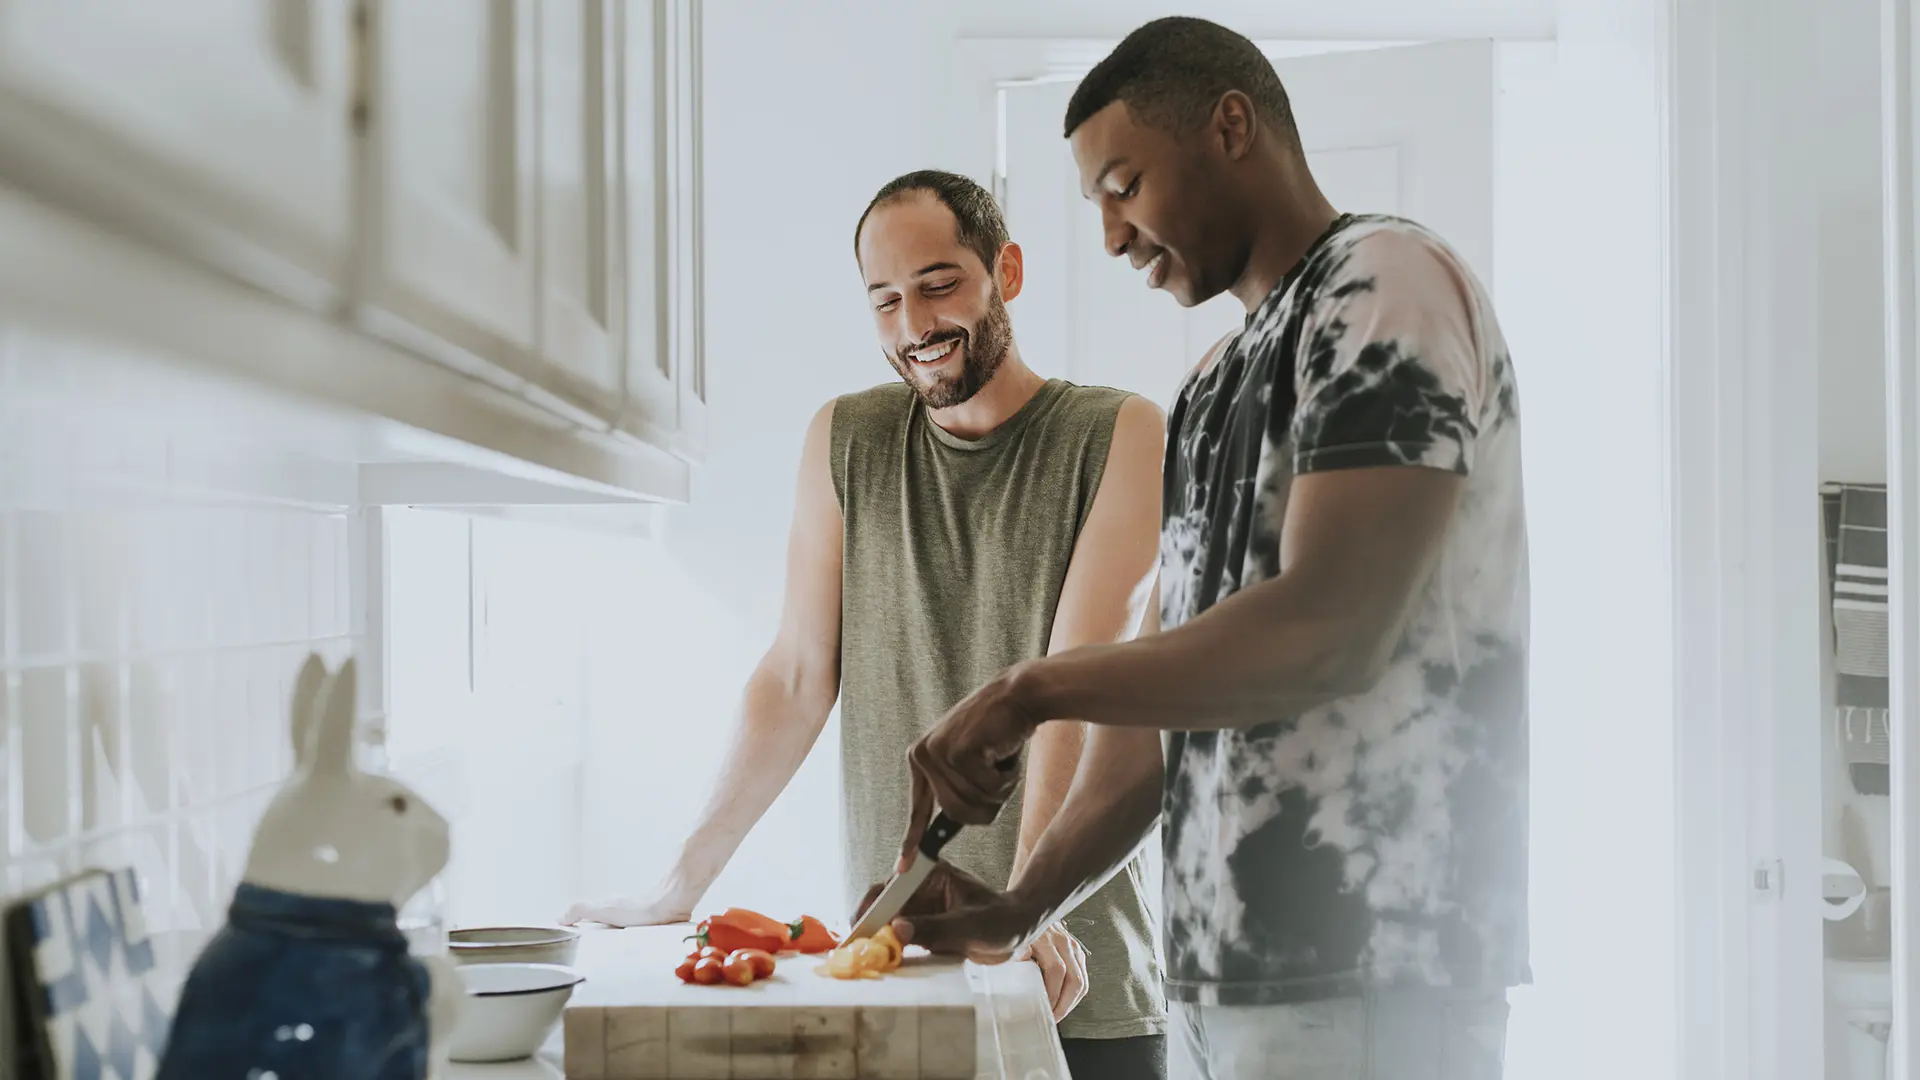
(1378, 841)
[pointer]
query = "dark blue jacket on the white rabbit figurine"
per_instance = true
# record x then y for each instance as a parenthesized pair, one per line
(302, 989)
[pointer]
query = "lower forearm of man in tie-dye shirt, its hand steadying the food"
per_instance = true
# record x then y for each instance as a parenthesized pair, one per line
(1111, 810)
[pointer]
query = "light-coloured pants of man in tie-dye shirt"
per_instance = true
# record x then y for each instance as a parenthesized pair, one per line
(1416, 1035)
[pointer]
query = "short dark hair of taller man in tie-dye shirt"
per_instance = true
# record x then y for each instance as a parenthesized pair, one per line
(1172, 74)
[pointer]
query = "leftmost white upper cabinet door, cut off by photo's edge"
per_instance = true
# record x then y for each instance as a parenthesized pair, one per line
(212, 128)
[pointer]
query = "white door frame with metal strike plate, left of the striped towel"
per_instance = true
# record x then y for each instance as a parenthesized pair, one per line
(1746, 541)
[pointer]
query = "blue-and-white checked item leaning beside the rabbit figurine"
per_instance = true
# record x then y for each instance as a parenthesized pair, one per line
(97, 1012)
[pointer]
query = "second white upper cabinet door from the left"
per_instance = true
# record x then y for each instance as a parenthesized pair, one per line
(454, 159)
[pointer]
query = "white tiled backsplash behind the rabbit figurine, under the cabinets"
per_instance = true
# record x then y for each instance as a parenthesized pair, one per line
(160, 585)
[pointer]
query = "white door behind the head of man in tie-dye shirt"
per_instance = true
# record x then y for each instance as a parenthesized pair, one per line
(1403, 130)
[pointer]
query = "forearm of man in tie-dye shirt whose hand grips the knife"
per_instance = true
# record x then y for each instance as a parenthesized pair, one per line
(1251, 660)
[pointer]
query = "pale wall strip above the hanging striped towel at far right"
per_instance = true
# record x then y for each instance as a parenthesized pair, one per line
(1854, 437)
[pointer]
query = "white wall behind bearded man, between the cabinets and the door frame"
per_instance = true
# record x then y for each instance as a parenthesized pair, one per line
(809, 110)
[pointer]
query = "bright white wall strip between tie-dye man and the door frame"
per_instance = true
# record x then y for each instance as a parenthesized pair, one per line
(1579, 278)
